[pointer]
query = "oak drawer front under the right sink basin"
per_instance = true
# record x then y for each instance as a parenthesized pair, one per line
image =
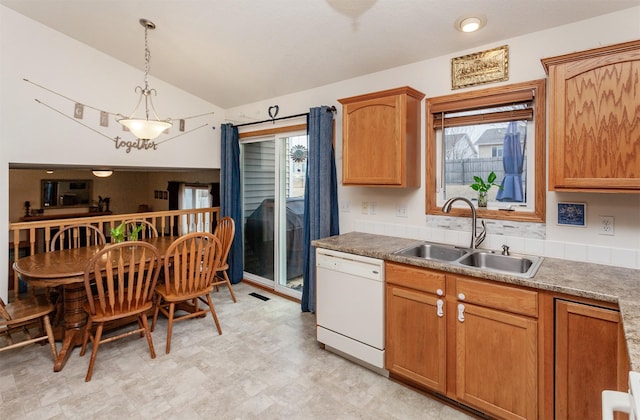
(491, 295)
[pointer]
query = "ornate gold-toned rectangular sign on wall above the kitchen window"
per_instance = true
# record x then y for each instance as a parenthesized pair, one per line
(482, 67)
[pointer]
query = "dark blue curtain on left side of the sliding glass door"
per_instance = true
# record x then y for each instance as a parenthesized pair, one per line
(230, 198)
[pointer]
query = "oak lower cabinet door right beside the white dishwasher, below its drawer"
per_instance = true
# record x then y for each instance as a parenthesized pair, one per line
(416, 346)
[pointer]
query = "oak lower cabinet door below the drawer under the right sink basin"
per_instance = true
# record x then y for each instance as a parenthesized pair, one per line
(496, 362)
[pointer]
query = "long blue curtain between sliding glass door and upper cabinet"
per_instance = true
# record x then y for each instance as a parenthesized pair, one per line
(320, 197)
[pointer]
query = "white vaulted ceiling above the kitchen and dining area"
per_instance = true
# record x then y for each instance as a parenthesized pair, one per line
(234, 52)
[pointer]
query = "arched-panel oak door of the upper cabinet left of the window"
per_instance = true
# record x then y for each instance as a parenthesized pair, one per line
(373, 141)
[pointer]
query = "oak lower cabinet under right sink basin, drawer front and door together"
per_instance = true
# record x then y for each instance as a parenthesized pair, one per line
(496, 348)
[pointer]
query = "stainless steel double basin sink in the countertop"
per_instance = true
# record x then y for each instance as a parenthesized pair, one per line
(486, 260)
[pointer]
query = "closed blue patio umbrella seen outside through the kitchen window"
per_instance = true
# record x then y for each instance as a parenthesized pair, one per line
(513, 162)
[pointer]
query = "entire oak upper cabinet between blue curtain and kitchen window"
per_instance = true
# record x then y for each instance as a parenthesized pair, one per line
(381, 138)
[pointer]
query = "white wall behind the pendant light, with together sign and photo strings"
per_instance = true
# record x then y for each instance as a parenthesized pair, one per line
(32, 133)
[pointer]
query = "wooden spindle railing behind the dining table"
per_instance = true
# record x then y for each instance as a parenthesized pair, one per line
(34, 237)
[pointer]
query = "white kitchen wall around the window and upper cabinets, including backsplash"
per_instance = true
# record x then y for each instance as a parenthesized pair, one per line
(432, 77)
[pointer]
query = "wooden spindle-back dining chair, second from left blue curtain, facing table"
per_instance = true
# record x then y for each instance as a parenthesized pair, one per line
(189, 268)
